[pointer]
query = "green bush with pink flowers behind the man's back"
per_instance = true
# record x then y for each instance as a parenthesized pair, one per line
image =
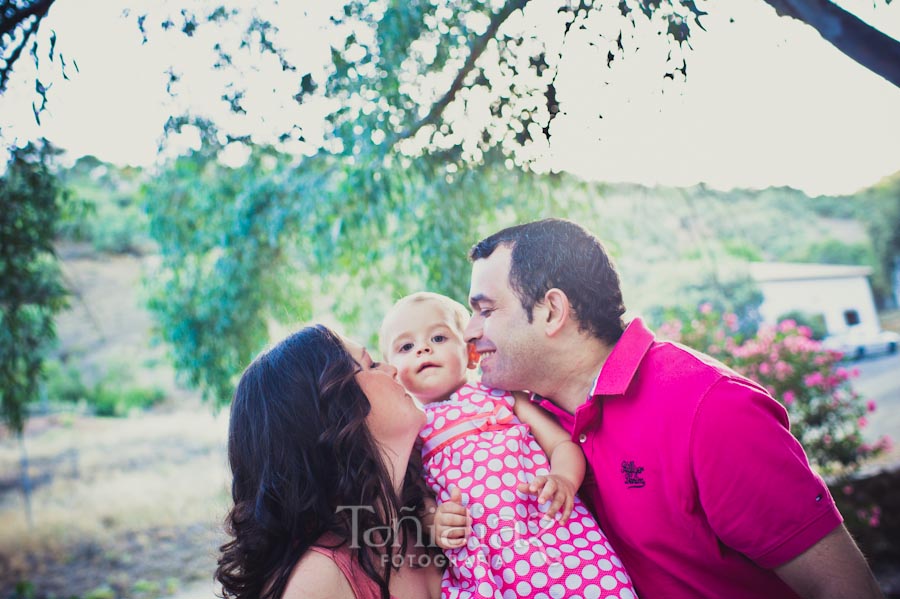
(826, 414)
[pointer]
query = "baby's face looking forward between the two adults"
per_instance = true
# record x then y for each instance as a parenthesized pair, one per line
(428, 350)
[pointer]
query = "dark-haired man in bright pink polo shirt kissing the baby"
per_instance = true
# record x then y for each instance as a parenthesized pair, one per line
(695, 476)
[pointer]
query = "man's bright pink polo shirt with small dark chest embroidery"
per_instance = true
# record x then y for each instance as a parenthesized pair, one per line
(694, 474)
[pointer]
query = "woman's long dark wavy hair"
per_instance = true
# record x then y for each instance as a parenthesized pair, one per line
(299, 448)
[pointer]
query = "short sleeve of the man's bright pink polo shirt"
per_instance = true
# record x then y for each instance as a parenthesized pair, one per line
(754, 482)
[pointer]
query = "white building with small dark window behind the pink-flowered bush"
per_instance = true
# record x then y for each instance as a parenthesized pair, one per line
(841, 294)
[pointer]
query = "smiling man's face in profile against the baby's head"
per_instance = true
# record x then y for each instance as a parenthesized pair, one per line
(508, 344)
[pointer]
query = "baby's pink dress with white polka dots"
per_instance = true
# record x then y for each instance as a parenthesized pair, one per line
(474, 441)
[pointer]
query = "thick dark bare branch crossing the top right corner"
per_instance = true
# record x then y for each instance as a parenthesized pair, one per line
(851, 35)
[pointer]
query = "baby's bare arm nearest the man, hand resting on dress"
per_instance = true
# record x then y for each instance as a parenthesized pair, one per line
(567, 462)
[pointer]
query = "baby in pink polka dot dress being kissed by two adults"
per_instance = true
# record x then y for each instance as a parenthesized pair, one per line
(488, 450)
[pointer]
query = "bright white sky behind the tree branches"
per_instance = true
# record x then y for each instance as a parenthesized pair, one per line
(767, 102)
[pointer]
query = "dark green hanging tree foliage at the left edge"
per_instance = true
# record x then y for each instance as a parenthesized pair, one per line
(31, 289)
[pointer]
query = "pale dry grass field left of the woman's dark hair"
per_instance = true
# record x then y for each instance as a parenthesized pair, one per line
(154, 481)
